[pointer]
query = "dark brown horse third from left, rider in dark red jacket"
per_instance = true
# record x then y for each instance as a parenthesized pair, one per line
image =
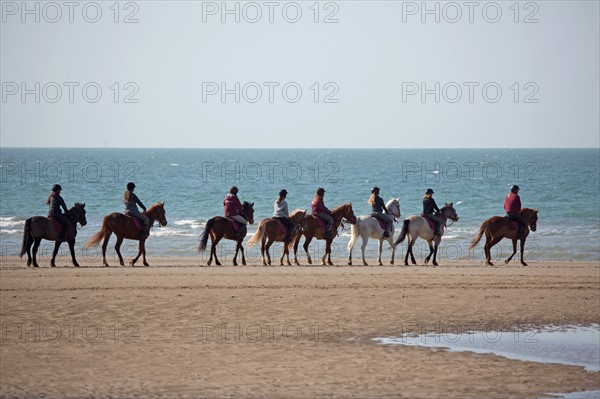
(219, 228)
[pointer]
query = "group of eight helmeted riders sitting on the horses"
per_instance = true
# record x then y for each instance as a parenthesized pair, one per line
(233, 209)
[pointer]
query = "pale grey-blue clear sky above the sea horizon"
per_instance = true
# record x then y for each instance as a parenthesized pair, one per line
(342, 74)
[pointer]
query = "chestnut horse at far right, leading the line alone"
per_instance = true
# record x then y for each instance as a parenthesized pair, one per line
(497, 227)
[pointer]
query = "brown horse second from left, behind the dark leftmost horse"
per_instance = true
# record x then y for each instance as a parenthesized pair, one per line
(124, 226)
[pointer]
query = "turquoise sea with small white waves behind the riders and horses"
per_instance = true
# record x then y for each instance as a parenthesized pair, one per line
(562, 183)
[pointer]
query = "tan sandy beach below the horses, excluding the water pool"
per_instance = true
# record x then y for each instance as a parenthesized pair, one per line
(176, 329)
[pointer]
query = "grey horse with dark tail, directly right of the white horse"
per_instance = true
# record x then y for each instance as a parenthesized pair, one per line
(417, 226)
